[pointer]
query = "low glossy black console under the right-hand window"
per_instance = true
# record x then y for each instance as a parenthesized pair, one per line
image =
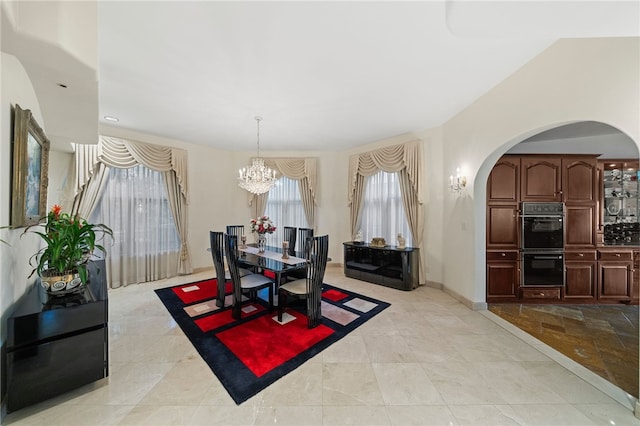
(389, 266)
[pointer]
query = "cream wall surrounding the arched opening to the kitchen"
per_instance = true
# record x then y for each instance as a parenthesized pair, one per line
(573, 80)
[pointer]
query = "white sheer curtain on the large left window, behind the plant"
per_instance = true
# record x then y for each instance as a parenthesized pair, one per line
(146, 244)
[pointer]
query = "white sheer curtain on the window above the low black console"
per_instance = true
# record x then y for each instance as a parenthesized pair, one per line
(383, 211)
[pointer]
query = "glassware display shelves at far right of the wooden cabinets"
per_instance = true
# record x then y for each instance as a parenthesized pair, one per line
(620, 183)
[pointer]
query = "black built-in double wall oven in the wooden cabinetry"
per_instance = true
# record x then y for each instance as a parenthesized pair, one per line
(542, 244)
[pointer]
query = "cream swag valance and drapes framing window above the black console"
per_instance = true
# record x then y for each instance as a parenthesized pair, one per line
(405, 159)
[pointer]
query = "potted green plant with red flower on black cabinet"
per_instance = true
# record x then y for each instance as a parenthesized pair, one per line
(70, 242)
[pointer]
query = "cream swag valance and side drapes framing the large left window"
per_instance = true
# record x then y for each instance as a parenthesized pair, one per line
(92, 161)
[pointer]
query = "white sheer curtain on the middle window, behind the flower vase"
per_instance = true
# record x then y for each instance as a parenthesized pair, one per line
(285, 208)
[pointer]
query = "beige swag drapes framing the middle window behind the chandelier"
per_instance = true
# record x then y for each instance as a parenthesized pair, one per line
(304, 170)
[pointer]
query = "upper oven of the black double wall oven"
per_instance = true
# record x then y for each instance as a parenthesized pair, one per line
(542, 226)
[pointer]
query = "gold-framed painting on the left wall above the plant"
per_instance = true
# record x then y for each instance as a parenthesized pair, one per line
(30, 169)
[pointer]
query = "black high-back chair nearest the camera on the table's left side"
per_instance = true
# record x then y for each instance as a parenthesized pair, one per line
(251, 283)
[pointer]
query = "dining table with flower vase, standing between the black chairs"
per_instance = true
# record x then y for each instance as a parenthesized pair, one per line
(271, 260)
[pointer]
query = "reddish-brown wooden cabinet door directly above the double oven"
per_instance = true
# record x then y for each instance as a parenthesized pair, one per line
(540, 178)
